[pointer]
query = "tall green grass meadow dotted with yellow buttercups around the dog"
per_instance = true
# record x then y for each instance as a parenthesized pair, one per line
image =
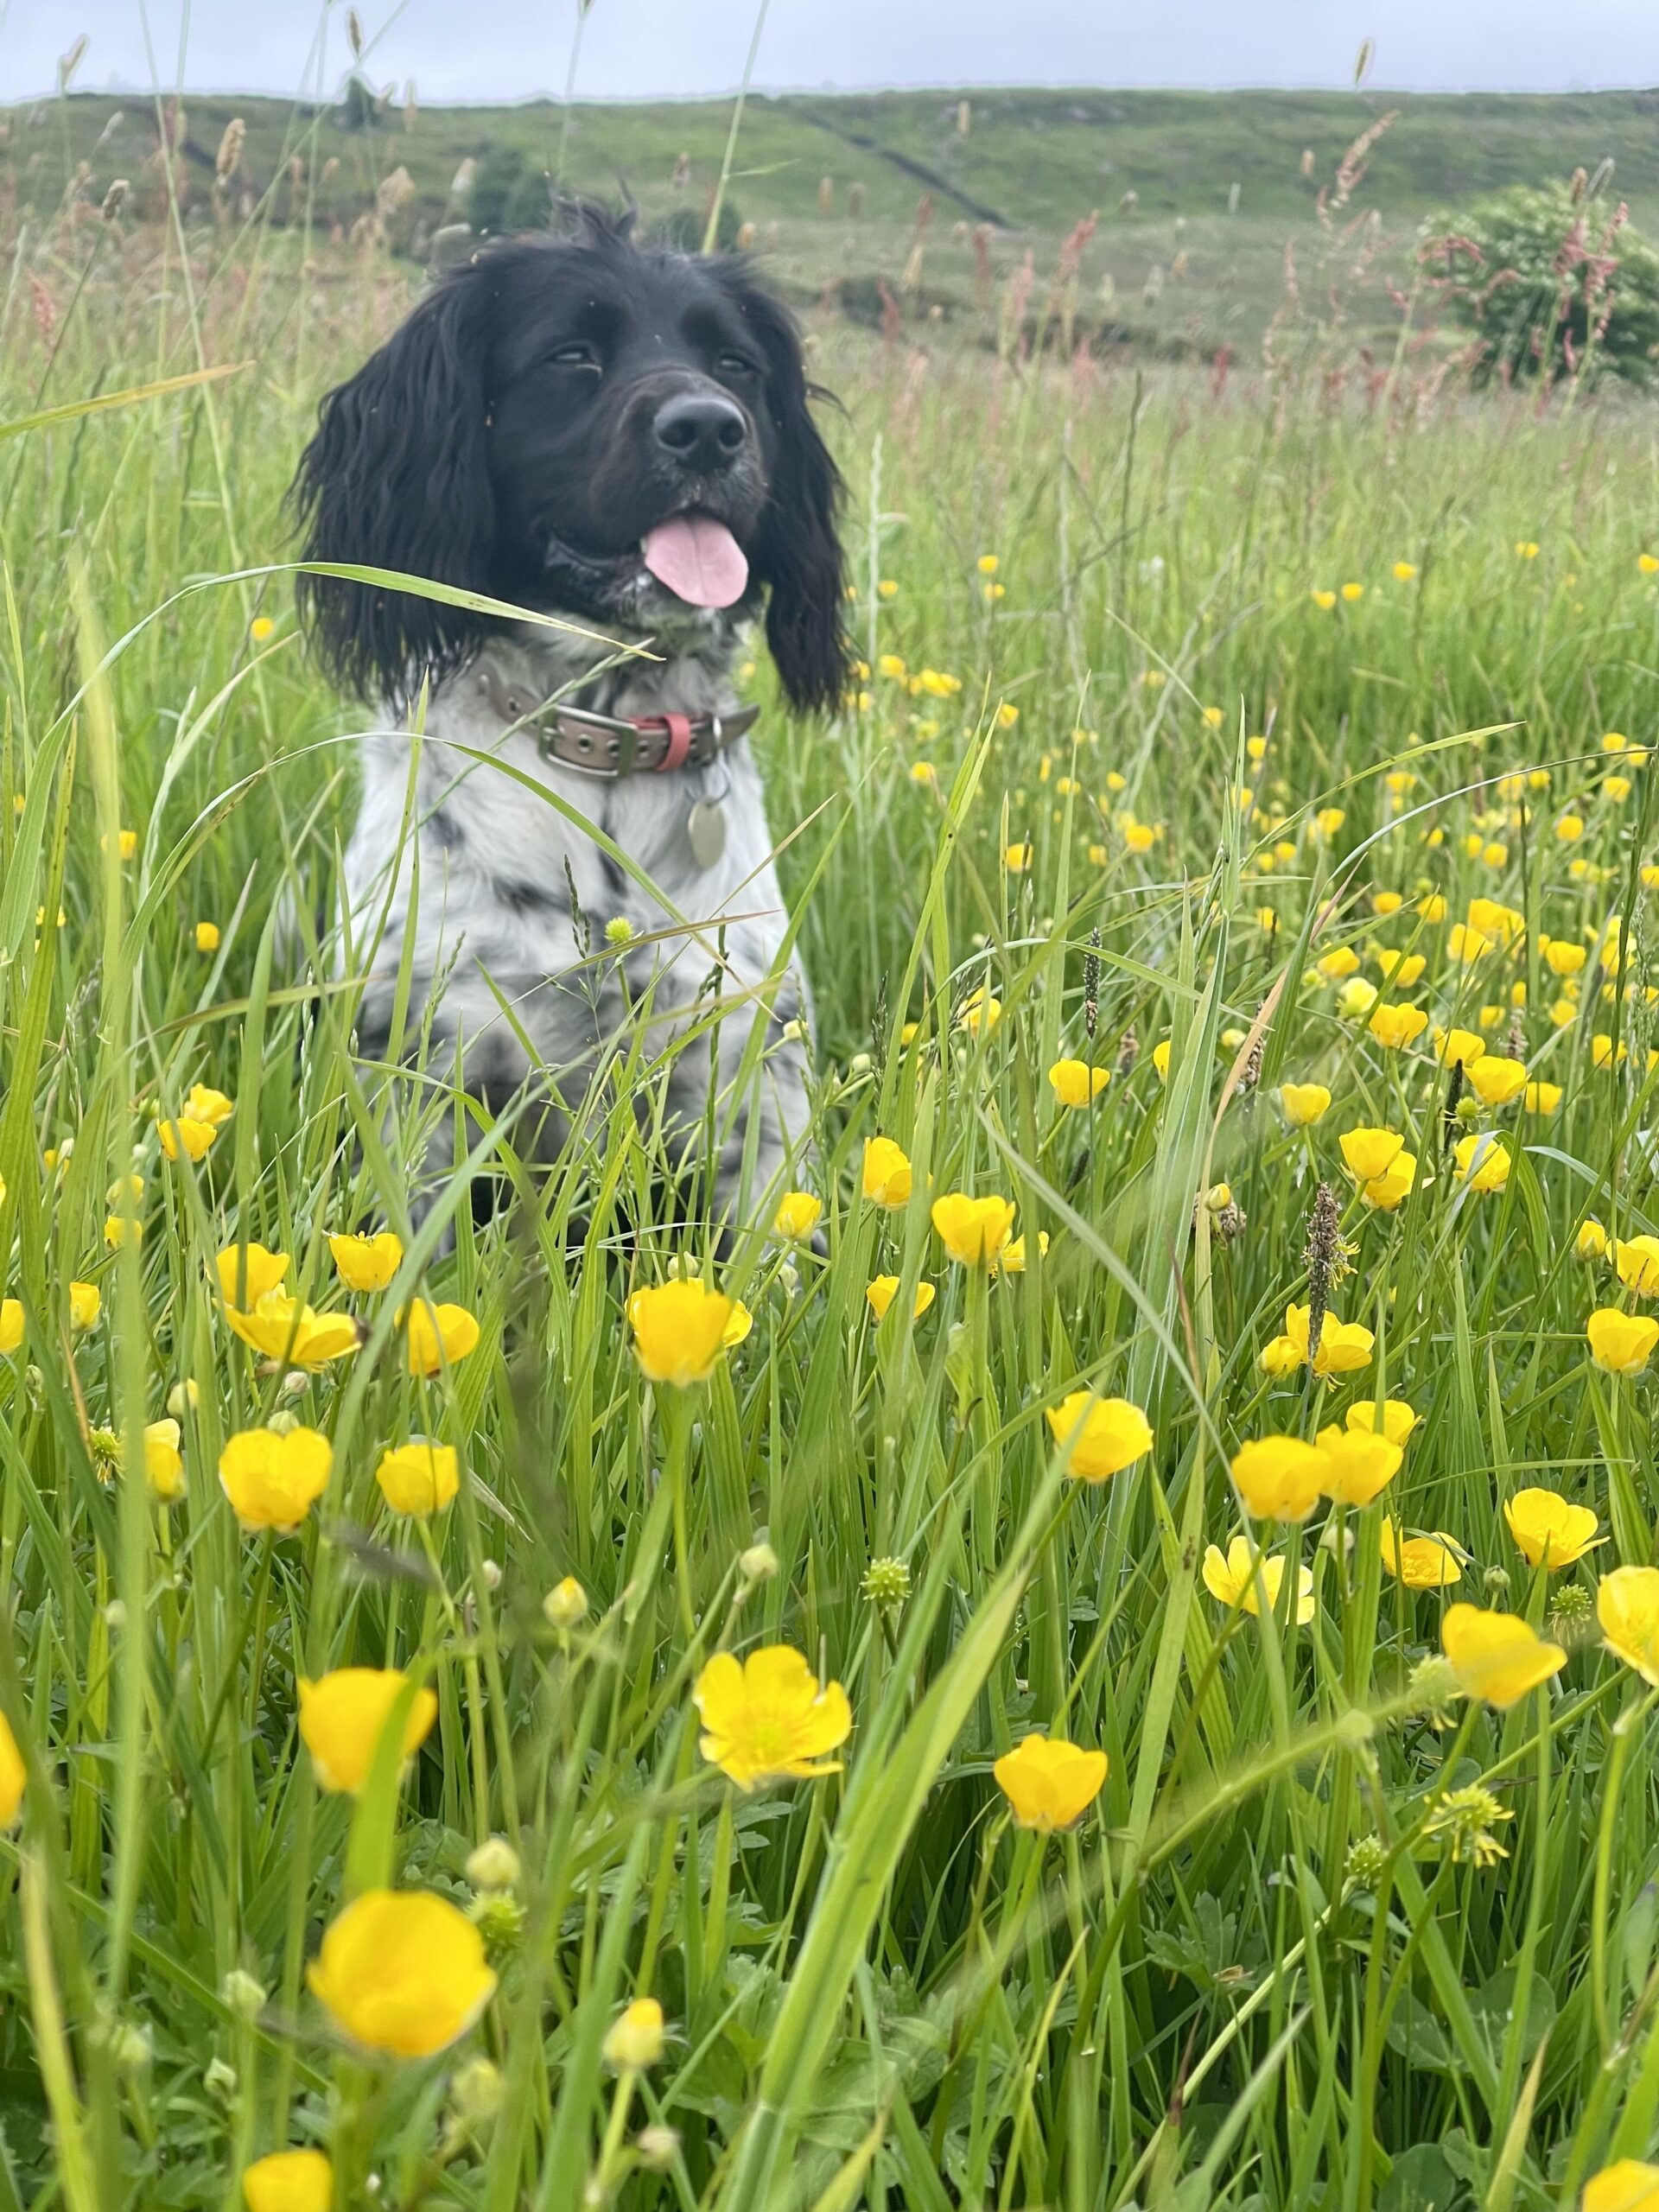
(1103, 1653)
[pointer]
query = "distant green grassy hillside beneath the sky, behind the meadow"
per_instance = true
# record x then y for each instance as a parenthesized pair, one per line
(1198, 194)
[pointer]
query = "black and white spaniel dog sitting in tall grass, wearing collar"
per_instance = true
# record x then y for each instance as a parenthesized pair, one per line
(623, 439)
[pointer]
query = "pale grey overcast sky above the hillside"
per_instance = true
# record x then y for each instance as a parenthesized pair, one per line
(508, 50)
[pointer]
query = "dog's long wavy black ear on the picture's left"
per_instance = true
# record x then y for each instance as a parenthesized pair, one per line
(397, 479)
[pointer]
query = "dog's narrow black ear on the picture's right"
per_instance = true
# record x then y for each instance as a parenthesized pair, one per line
(800, 545)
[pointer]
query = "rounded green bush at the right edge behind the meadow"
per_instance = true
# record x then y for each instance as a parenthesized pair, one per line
(1552, 280)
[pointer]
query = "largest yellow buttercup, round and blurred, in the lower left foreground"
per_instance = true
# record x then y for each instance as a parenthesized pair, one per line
(404, 1972)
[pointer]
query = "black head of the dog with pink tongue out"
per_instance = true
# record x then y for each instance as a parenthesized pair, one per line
(581, 426)
